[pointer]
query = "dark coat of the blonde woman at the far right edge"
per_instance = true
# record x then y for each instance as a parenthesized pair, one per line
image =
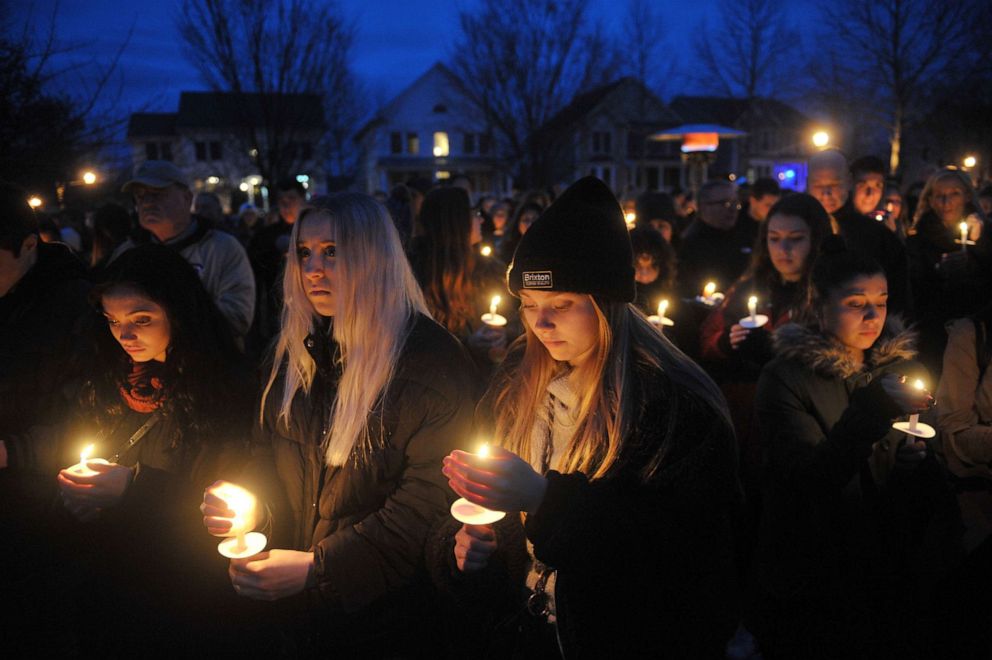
(946, 289)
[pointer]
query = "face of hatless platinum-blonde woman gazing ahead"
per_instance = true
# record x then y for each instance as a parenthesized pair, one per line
(316, 250)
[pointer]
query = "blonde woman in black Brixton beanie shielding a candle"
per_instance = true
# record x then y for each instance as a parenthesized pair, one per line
(618, 451)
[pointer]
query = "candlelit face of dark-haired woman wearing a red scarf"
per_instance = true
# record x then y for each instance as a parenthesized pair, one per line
(139, 324)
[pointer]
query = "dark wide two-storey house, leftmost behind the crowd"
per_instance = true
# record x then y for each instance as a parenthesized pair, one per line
(214, 138)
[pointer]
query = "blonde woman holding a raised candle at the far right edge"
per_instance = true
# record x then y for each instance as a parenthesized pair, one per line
(949, 279)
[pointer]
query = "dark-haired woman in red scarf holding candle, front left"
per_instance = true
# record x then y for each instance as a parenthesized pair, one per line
(167, 406)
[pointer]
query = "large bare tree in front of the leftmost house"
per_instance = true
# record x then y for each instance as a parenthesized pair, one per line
(274, 54)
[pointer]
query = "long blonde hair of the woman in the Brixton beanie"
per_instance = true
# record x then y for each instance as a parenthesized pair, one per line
(609, 392)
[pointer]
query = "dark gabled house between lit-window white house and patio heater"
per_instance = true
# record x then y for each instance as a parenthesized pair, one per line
(605, 132)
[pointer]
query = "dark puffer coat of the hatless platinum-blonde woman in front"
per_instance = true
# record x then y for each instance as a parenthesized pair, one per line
(366, 522)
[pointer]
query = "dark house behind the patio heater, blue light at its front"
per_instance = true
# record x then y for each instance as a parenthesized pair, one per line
(776, 145)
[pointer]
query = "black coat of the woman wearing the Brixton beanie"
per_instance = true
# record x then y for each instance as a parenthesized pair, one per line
(644, 569)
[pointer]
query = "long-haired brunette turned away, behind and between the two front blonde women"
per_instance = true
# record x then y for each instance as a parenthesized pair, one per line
(458, 282)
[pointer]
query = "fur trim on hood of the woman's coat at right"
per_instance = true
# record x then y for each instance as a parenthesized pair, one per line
(825, 355)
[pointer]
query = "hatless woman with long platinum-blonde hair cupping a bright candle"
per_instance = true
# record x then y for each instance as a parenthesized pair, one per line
(365, 396)
